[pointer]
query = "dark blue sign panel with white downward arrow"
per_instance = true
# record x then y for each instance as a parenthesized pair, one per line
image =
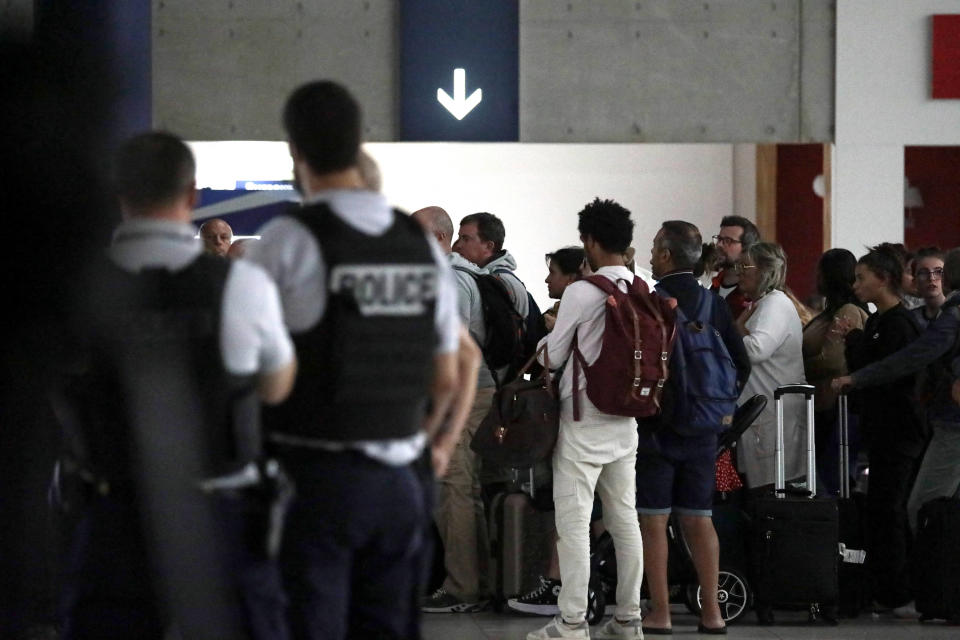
(459, 70)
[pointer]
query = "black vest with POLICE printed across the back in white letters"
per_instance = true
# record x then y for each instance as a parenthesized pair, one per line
(365, 368)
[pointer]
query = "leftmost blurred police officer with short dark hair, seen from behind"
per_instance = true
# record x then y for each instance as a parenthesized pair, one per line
(176, 347)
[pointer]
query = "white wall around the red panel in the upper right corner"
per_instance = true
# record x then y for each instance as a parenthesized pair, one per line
(883, 104)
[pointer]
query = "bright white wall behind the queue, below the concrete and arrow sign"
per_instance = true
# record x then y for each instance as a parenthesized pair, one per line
(536, 189)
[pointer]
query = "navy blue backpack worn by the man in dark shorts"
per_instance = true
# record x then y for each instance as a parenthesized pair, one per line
(703, 378)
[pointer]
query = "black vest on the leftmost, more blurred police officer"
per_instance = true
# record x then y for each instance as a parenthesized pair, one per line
(153, 343)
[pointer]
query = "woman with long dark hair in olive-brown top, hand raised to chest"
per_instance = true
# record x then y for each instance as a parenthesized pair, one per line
(824, 358)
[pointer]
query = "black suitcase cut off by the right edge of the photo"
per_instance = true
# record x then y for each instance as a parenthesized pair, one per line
(936, 560)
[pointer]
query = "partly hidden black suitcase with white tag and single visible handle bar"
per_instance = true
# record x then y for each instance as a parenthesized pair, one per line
(851, 506)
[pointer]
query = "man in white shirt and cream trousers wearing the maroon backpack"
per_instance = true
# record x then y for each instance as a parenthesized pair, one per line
(598, 452)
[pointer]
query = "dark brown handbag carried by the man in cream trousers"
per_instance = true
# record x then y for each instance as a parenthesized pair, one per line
(521, 427)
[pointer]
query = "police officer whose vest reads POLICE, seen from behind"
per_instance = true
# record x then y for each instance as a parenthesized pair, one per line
(372, 307)
